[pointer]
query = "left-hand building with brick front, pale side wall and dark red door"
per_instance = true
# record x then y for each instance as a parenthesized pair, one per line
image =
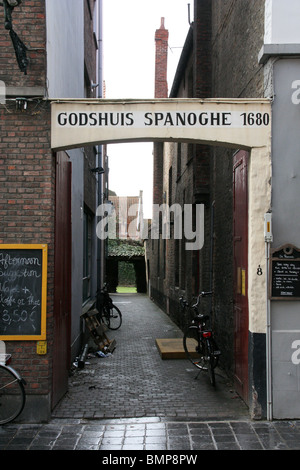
(40, 198)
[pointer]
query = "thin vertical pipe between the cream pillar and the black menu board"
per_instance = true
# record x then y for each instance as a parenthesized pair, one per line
(268, 240)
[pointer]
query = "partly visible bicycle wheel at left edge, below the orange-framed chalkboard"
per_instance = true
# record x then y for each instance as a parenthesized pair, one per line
(12, 394)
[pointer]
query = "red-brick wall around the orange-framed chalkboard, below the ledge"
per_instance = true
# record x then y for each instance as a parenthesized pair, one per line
(27, 175)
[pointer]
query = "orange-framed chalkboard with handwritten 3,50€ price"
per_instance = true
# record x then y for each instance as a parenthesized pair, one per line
(23, 292)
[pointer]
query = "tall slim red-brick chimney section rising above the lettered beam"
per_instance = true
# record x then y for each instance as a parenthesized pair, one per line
(161, 61)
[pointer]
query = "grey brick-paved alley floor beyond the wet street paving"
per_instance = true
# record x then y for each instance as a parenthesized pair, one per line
(135, 382)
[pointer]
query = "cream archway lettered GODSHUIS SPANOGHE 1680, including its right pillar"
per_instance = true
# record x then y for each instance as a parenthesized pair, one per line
(240, 124)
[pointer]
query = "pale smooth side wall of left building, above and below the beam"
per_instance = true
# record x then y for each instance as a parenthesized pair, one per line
(65, 79)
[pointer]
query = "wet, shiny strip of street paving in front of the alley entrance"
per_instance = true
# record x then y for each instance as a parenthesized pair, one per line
(151, 434)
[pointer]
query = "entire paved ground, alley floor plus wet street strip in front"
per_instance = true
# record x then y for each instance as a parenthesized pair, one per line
(134, 400)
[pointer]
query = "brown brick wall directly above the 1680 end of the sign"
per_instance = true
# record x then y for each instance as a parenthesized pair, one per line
(237, 37)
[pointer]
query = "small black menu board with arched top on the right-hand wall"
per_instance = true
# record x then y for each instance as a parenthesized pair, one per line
(285, 273)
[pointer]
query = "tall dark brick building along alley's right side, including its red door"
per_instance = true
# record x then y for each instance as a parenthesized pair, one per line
(219, 60)
